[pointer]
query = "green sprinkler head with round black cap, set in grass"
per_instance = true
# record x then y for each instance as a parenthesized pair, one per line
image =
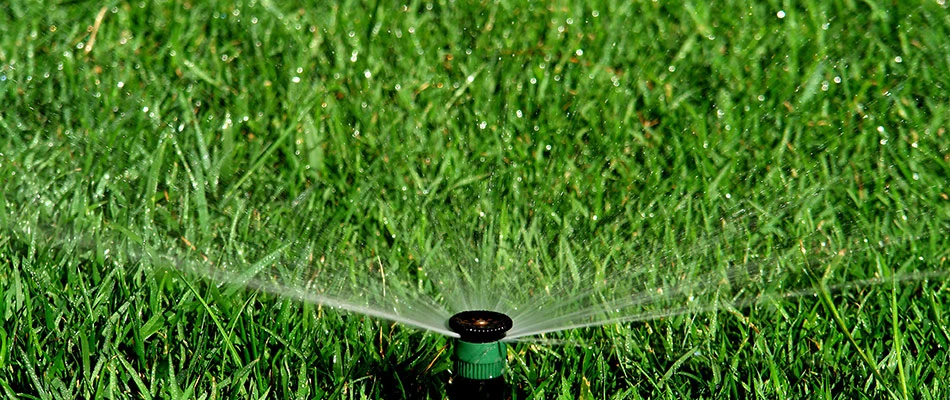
(480, 355)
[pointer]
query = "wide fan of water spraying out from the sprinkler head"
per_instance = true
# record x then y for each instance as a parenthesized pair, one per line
(553, 273)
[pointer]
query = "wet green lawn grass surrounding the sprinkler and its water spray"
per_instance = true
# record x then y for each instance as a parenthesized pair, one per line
(217, 133)
